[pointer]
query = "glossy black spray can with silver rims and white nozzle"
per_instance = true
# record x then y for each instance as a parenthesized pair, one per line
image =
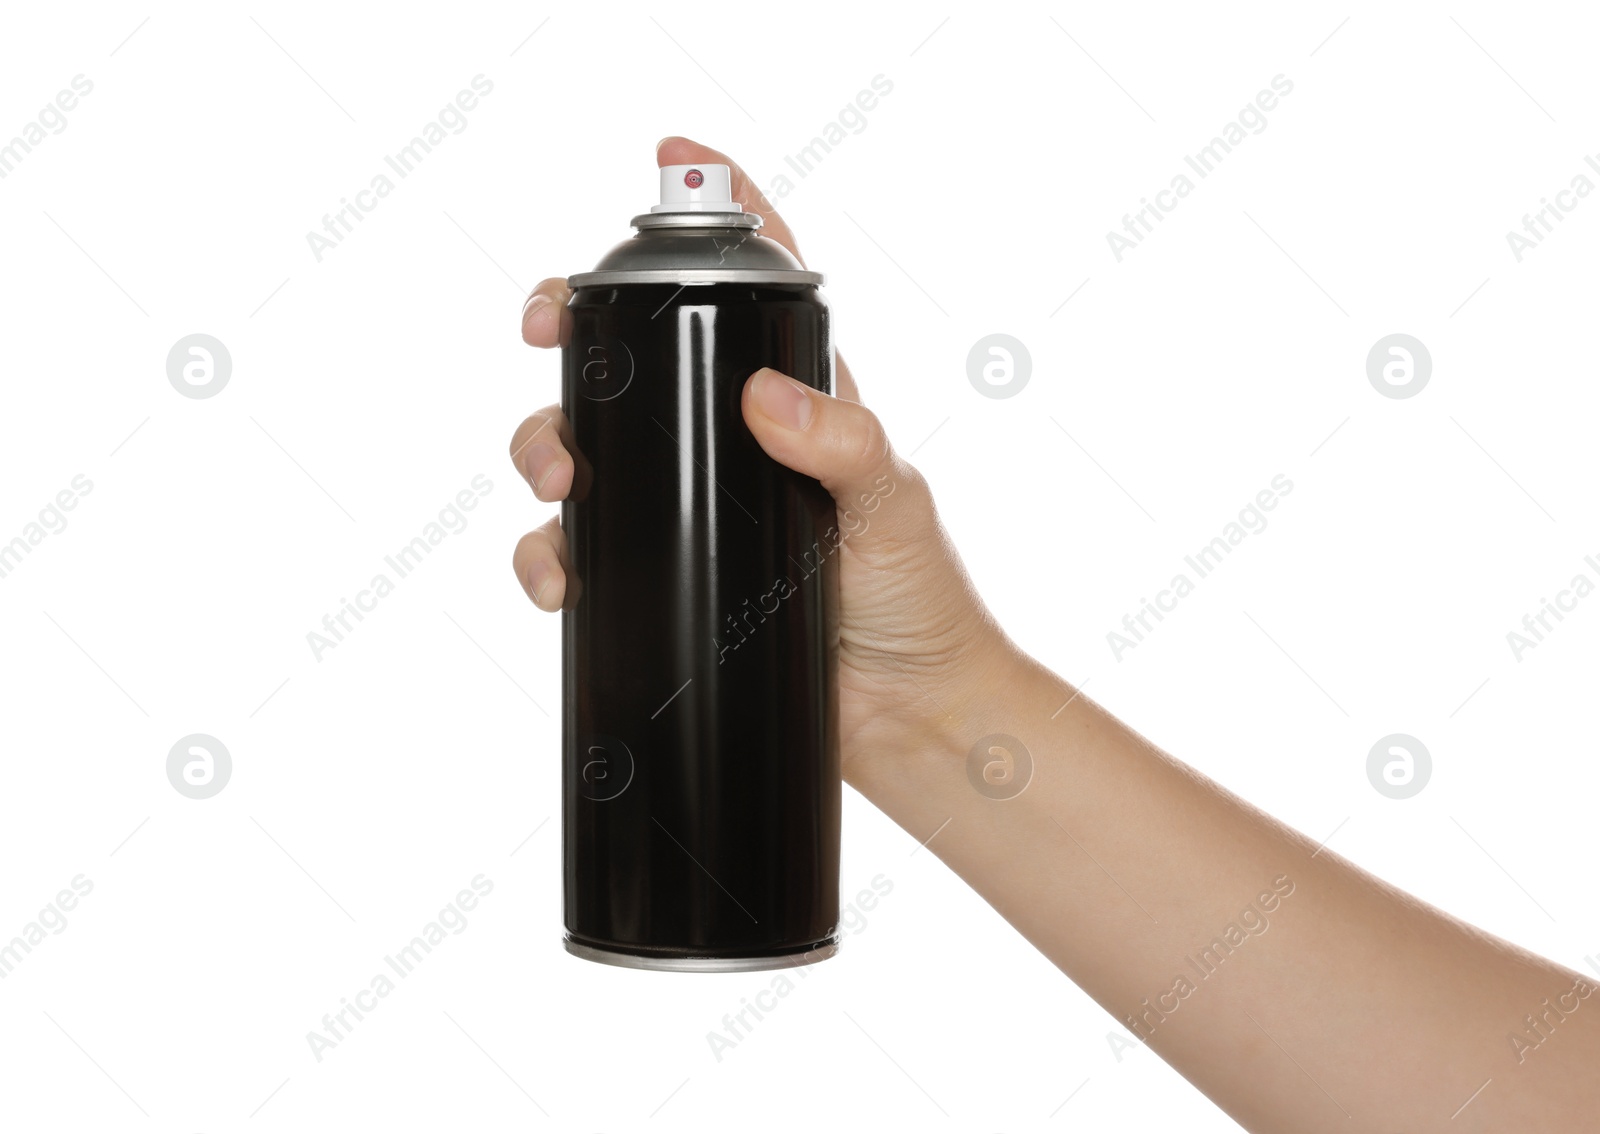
(702, 785)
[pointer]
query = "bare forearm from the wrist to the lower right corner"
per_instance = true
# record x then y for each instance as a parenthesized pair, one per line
(1292, 988)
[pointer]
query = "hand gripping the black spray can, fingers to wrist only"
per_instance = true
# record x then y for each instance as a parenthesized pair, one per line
(916, 642)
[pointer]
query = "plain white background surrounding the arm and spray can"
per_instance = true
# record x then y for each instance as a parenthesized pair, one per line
(370, 388)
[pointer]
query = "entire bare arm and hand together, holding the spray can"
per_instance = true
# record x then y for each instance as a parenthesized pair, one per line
(1358, 1008)
